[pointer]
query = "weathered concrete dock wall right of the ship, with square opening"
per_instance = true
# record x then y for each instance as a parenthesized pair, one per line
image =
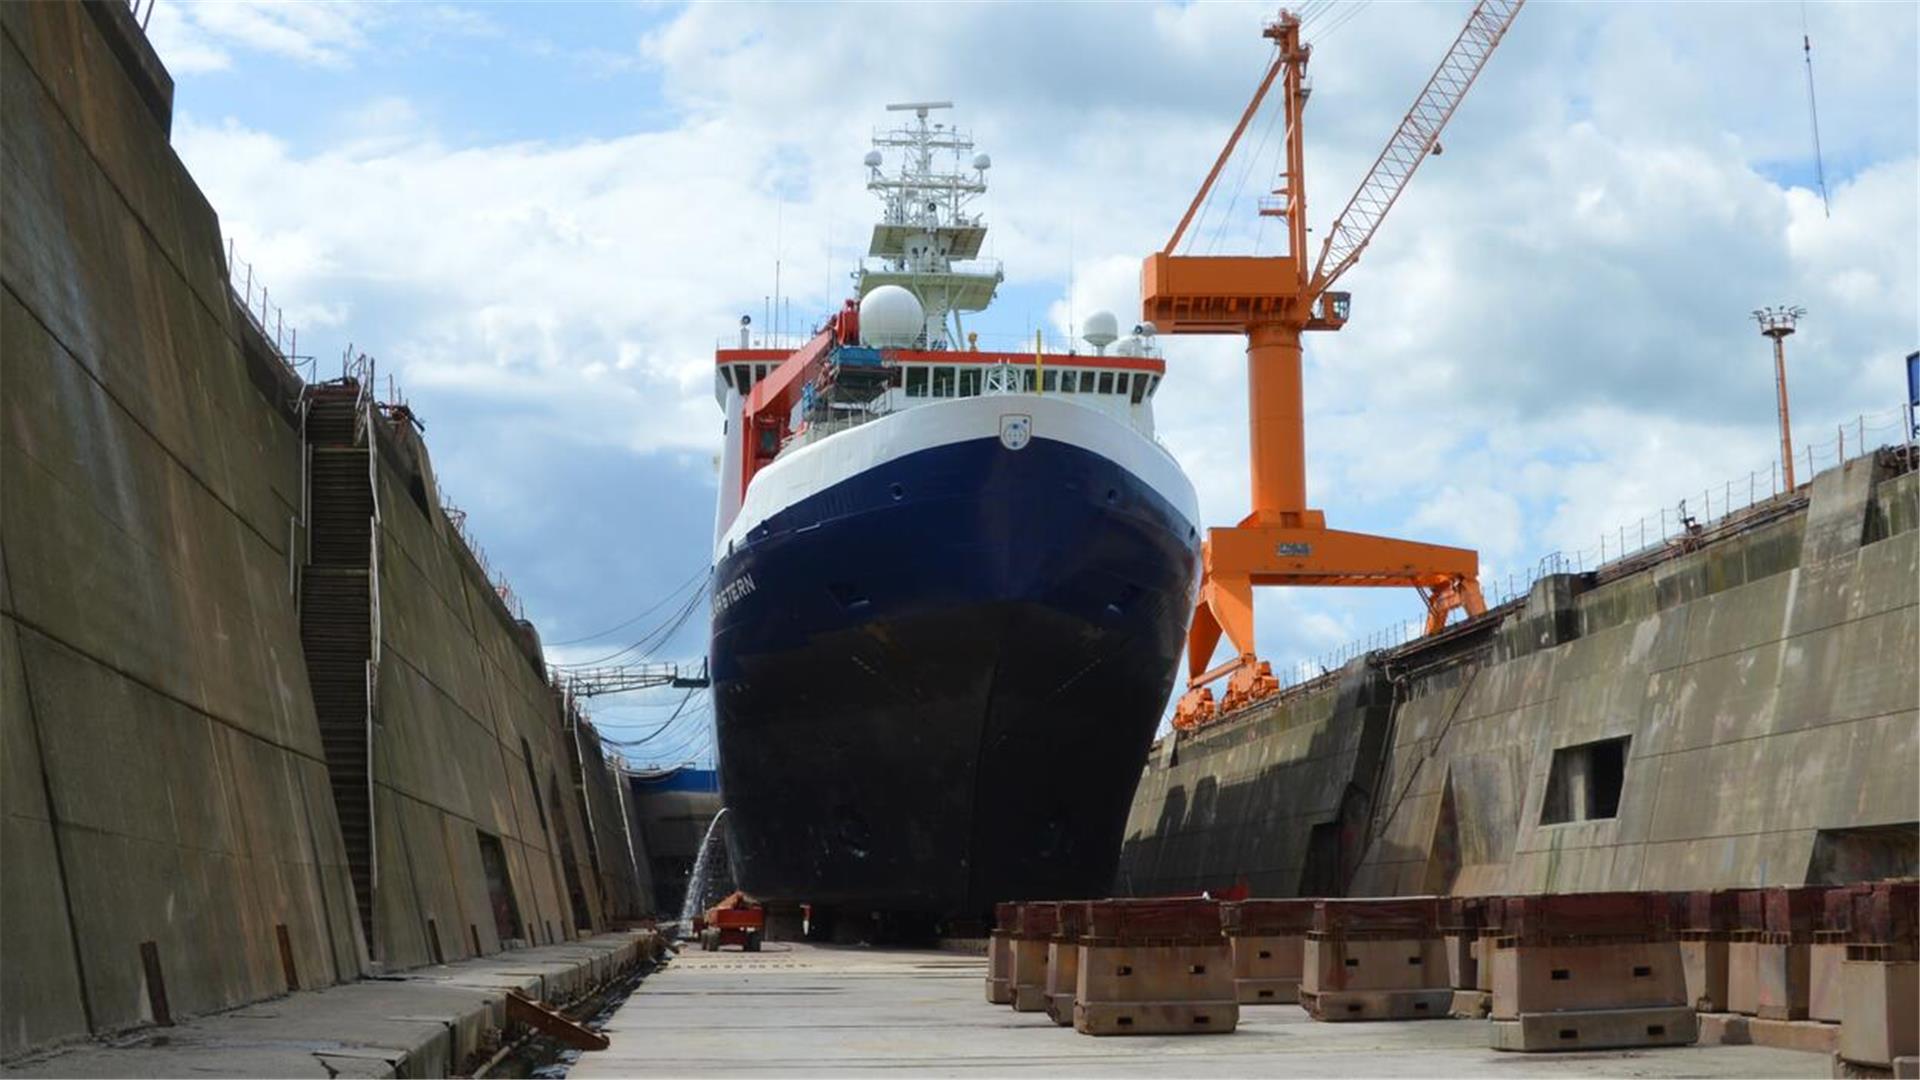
(1739, 716)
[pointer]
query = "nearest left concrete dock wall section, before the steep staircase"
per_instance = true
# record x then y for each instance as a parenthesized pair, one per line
(162, 772)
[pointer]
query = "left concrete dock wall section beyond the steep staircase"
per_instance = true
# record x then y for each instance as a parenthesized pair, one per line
(468, 745)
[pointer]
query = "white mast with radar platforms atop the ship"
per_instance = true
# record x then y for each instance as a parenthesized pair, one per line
(926, 241)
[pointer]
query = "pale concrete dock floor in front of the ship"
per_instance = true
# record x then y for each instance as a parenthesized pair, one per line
(804, 1010)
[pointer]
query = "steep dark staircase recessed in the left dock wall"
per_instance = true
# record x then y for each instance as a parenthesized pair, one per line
(341, 610)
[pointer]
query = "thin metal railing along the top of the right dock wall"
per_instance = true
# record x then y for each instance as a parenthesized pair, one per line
(1691, 522)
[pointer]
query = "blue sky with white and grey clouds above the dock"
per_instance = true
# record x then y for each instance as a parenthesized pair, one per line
(540, 220)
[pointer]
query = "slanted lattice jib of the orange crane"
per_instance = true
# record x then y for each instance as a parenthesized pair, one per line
(1416, 137)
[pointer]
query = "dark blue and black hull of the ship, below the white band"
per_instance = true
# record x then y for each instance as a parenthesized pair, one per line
(936, 681)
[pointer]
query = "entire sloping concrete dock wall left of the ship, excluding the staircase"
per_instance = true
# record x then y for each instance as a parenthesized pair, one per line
(168, 818)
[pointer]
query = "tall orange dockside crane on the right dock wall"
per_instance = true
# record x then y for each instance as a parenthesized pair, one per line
(1274, 301)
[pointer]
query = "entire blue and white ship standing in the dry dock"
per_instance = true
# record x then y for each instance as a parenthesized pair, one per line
(940, 574)
